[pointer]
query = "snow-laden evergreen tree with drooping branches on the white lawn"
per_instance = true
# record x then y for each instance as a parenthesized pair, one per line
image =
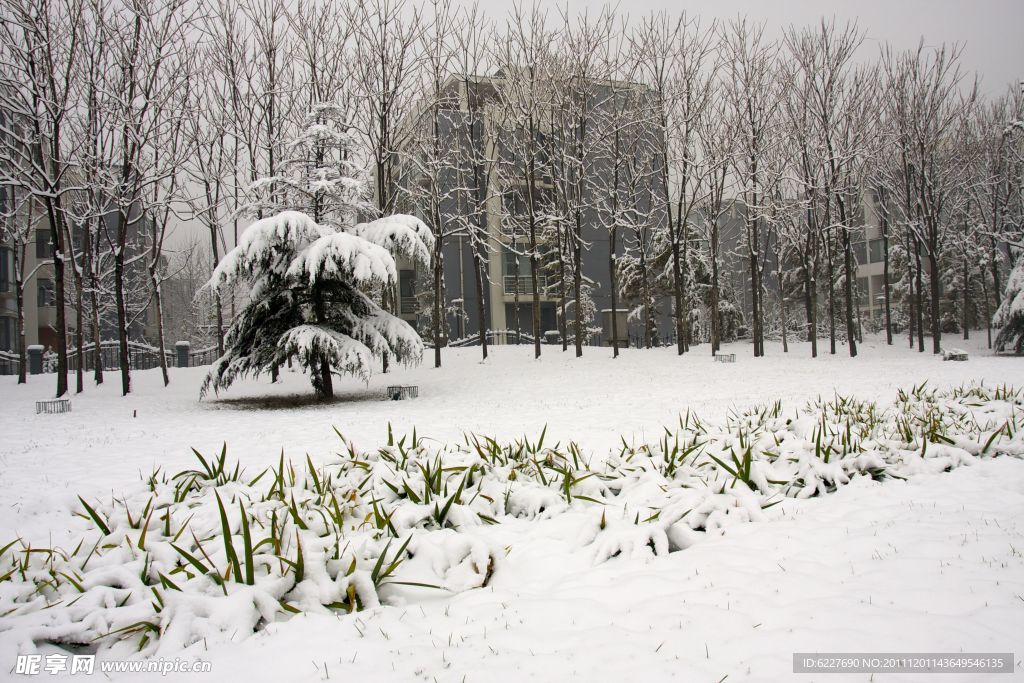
(312, 297)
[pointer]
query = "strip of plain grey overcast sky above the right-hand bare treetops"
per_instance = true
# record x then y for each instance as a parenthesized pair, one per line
(993, 30)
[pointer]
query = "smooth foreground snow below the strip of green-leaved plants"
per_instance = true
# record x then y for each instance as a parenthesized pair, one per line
(932, 566)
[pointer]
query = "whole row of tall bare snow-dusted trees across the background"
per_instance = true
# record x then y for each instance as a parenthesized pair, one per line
(691, 147)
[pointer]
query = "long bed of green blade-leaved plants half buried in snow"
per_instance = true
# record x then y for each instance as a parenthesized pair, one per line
(216, 553)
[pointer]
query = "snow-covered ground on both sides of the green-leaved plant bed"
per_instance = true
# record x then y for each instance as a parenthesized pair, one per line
(932, 565)
